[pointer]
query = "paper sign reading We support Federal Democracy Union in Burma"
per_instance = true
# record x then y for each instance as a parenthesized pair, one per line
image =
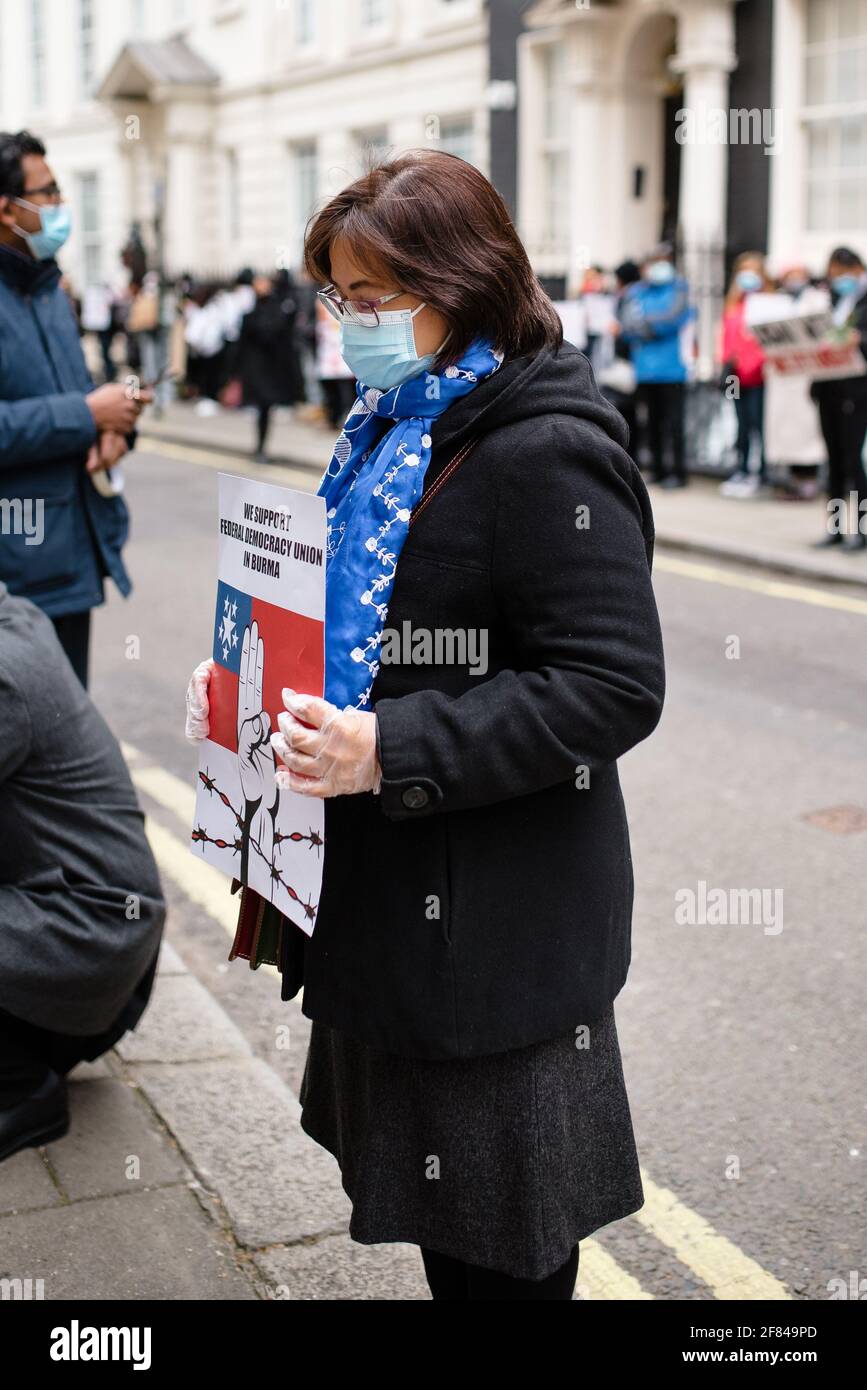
(267, 837)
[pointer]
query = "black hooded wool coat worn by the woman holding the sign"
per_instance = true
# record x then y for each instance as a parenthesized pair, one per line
(483, 900)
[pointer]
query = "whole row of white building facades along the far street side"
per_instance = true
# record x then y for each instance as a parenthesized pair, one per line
(227, 122)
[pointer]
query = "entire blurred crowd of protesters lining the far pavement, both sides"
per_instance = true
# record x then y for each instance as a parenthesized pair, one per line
(263, 341)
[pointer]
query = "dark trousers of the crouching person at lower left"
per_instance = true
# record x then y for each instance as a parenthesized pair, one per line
(30, 1053)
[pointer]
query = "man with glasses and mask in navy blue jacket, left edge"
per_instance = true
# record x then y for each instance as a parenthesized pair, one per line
(59, 536)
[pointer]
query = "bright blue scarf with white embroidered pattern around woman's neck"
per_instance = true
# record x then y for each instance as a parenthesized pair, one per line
(370, 489)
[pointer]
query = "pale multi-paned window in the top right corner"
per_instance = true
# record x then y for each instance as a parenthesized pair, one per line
(836, 115)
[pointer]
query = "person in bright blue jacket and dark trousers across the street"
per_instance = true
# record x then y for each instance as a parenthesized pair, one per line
(652, 315)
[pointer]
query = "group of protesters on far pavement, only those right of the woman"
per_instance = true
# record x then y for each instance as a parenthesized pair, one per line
(637, 325)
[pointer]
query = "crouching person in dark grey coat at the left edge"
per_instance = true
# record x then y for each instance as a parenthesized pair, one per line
(81, 908)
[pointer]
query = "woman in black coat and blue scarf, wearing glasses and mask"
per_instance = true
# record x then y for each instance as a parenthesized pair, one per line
(474, 922)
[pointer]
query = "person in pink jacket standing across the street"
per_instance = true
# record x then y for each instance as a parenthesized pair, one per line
(744, 365)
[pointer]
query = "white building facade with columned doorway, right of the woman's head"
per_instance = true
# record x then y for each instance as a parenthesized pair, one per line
(636, 115)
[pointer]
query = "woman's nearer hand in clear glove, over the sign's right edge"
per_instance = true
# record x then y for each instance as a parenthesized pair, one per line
(336, 758)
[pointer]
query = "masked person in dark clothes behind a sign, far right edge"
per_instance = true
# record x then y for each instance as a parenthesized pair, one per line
(843, 402)
